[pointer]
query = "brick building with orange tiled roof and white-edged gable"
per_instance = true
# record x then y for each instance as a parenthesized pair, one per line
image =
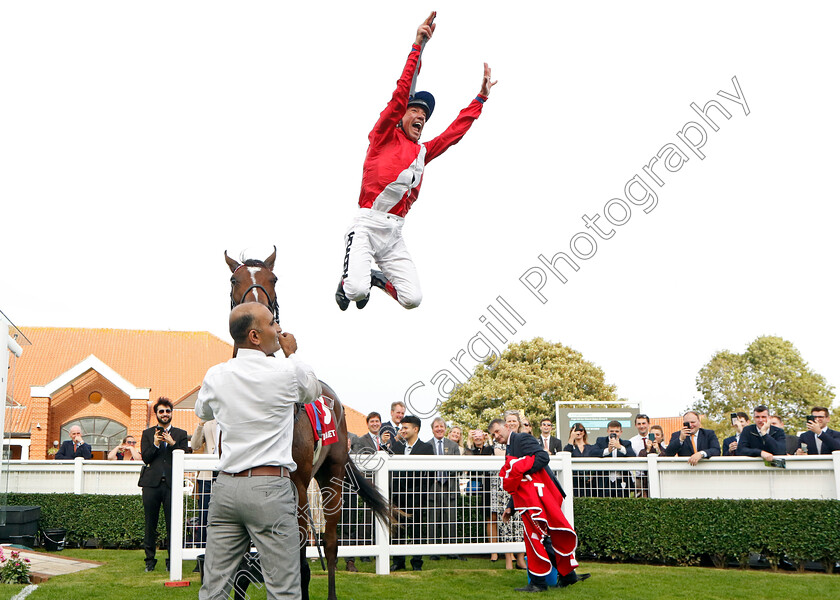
(106, 381)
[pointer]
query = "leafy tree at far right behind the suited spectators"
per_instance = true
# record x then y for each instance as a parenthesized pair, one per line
(770, 372)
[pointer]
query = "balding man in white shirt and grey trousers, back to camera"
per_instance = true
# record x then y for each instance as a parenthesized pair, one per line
(252, 398)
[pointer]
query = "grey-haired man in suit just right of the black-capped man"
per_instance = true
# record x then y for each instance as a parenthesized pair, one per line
(444, 488)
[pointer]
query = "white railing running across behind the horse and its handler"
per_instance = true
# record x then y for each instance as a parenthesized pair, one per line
(813, 477)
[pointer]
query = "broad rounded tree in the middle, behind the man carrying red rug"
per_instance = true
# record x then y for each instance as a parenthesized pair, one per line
(529, 376)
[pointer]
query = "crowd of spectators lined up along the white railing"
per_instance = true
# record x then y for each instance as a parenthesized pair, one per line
(467, 507)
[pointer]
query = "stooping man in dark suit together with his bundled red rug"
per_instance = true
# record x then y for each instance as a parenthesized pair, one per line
(537, 496)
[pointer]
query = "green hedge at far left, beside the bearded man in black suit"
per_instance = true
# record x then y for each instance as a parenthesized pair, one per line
(113, 521)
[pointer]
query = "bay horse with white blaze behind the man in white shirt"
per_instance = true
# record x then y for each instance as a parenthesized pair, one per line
(254, 281)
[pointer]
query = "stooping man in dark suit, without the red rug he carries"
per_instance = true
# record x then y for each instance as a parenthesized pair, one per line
(521, 445)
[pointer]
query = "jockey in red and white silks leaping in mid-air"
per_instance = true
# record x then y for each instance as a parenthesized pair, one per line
(391, 178)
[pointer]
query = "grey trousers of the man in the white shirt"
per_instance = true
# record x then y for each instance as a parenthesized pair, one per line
(258, 509)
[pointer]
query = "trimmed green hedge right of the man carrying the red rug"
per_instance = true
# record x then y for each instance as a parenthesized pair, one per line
(683, 532)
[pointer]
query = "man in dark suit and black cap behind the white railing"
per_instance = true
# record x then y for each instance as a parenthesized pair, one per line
(411, 489)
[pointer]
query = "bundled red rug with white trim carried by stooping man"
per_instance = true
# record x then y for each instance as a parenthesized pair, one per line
(538, 501)
